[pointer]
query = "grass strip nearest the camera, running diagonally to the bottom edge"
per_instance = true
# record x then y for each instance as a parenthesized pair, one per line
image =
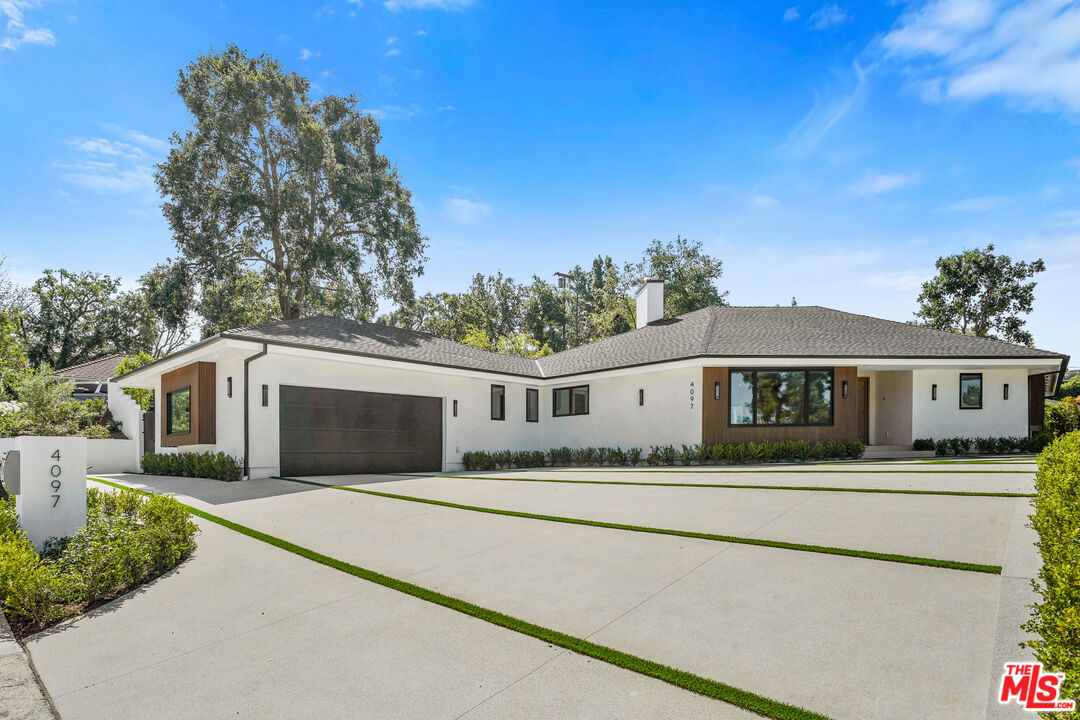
(696, 684)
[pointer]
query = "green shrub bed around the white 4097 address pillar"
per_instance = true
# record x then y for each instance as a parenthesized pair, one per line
(130, 539)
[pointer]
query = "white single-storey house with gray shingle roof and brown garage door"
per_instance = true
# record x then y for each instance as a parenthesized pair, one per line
(323, 396)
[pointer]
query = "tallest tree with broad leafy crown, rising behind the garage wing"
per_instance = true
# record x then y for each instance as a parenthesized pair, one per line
(274, 182)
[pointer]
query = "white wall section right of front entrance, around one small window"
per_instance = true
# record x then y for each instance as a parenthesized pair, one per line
(943, 418)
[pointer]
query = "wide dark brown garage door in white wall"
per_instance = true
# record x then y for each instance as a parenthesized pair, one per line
(339, 432)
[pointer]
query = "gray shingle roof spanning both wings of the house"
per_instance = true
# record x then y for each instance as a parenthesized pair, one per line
(802, 332)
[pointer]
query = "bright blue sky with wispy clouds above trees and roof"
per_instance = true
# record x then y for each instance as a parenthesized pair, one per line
(828, 152)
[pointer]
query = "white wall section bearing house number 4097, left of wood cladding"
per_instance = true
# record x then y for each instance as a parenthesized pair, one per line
(615, 418)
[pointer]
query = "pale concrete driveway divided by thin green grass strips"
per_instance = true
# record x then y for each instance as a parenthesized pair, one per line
(246, 628)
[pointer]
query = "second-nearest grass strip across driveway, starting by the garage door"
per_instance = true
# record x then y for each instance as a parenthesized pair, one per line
(867, 555)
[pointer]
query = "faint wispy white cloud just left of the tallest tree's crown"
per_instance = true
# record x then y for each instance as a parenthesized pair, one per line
(109, 166)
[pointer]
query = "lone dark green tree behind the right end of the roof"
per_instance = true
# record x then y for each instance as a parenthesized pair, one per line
(982, 294)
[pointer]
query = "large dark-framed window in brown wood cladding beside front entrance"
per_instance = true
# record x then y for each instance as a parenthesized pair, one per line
(780, 398)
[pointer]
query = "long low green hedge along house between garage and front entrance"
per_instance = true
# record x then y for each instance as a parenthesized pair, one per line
(665, 455)
